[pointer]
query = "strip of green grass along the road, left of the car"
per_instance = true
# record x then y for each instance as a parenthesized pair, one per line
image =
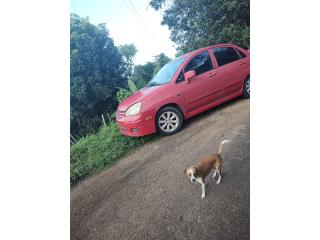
(96, 152)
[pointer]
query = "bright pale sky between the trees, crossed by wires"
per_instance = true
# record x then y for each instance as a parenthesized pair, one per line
(129, 21)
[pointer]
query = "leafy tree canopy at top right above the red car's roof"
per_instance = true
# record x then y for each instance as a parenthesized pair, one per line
(200, 23)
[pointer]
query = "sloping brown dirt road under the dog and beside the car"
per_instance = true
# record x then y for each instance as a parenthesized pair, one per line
(147, 196)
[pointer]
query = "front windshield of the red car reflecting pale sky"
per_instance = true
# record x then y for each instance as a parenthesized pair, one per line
(166, 73)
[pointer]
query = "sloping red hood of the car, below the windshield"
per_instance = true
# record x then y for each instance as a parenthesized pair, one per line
(139, 96)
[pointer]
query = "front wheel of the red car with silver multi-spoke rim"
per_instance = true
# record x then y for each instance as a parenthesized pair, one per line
(175, 115)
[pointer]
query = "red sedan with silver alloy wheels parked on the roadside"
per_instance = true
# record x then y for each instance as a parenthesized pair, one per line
(185, 87)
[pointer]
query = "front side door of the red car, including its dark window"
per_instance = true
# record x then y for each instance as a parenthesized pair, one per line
(204, 87)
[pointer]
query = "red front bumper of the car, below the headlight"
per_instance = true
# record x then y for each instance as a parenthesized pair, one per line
(136, 126)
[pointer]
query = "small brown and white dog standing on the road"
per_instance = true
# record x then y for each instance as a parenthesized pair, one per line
(200, 171)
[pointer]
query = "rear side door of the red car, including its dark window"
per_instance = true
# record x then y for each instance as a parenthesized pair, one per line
(230, 69)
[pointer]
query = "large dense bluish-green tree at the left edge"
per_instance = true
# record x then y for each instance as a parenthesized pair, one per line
(96, 73)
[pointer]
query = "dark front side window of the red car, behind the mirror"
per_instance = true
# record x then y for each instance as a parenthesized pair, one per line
(200, 63)
